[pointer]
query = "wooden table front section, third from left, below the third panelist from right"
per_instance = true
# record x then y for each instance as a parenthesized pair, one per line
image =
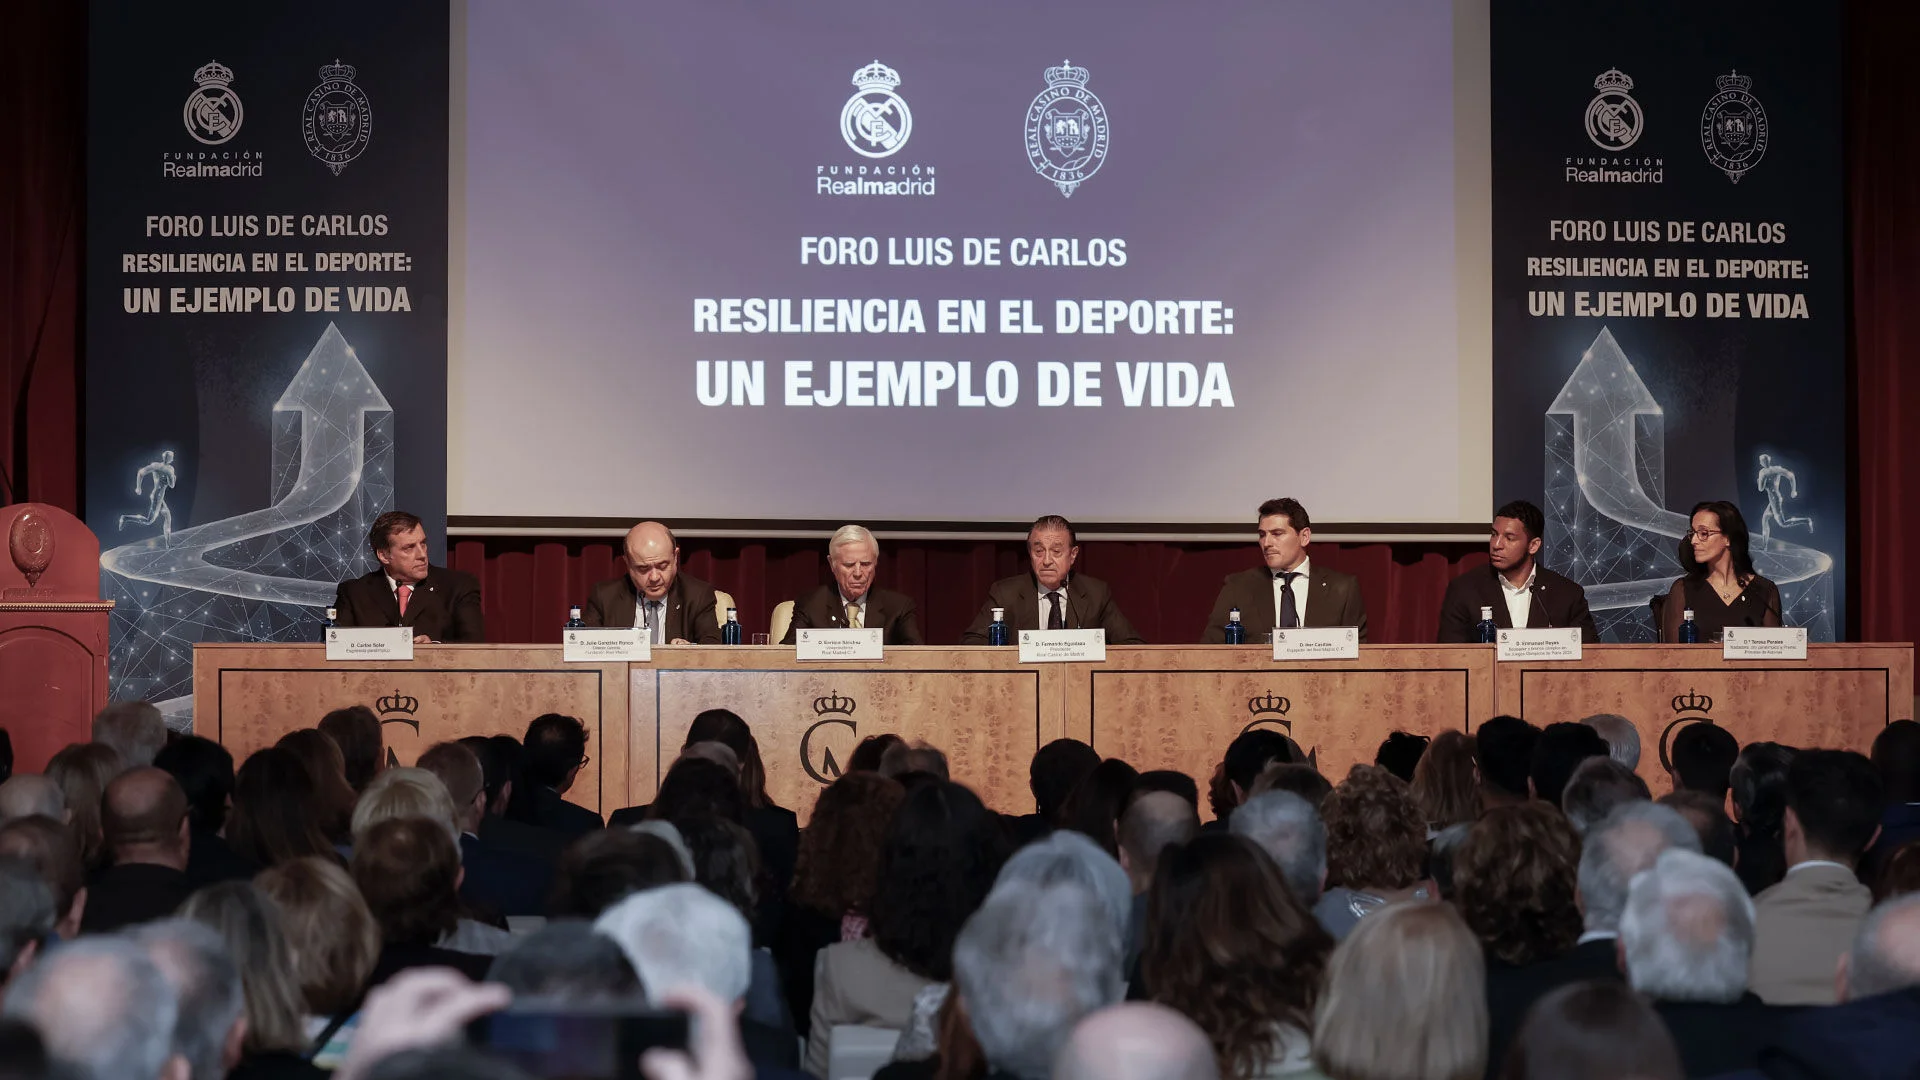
(1180, 706)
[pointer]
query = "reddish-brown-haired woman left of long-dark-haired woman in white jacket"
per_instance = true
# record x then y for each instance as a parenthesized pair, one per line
(834, 879)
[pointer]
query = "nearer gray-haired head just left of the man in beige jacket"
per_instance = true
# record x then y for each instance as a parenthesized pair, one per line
(1687, 933)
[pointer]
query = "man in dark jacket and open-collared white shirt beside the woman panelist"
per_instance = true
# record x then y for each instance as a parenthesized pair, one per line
(1518, 589)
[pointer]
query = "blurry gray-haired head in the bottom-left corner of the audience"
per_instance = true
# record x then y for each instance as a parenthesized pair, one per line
(105, 1010)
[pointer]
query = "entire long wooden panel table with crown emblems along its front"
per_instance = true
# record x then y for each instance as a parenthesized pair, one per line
(1155, 706)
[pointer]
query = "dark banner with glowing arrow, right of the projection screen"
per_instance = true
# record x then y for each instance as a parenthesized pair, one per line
(1669, 291)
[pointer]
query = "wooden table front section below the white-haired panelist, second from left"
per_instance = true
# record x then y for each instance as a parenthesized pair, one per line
(980, 706)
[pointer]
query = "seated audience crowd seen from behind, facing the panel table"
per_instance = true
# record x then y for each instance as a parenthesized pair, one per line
(1500, 904)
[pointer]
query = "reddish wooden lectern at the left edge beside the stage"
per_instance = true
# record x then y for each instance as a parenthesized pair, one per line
(53, 633)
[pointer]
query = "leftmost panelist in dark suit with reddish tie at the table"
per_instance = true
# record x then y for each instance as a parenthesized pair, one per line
(441, 604)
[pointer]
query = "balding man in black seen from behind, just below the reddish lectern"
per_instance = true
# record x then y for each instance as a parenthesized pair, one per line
(143, 820)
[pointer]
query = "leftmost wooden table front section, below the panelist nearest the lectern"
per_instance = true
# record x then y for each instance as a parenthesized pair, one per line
(249, 697)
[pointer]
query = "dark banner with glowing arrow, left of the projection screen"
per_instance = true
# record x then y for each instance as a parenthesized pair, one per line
(266, 312)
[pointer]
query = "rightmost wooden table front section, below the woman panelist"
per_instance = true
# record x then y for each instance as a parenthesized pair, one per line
(1840, 697)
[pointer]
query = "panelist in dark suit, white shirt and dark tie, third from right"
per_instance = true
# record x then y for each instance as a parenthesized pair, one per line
(1289, 591)
